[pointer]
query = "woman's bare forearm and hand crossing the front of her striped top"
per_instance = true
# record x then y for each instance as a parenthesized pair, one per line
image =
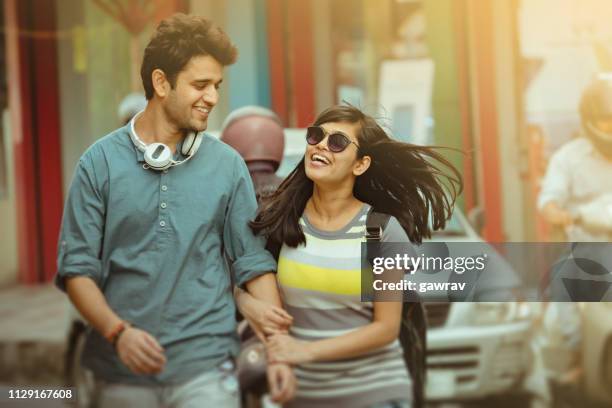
(383, 330)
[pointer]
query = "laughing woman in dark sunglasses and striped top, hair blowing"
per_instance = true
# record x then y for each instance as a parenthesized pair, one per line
(346, 352)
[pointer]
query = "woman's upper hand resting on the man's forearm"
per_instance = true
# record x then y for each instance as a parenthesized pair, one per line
(265, 319)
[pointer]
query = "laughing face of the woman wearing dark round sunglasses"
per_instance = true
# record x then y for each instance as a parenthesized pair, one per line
(326, 167)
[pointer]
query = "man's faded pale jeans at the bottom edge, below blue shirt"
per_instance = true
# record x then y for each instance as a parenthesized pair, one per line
(216, 388)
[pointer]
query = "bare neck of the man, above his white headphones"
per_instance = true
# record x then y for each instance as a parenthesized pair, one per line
(152, 126)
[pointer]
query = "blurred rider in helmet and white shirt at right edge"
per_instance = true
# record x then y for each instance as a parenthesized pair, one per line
(578, 177)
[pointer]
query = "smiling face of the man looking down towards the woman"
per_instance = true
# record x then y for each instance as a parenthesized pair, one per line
(195, 94)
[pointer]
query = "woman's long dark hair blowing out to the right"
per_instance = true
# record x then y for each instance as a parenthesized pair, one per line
(404, 180)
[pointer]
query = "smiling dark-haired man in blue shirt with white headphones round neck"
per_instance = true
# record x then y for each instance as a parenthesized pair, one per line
(152, 209)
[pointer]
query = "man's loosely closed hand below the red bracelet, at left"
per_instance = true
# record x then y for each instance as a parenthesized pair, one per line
(140, 352)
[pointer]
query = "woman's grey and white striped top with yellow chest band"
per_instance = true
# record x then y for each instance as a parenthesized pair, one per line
(321, 284)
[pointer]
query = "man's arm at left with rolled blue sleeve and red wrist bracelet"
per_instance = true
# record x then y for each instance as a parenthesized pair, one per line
(80, 272)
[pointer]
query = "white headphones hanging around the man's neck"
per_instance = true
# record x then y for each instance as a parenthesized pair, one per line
(158, 156)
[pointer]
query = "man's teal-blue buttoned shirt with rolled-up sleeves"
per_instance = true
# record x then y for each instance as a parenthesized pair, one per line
(154, 242)
